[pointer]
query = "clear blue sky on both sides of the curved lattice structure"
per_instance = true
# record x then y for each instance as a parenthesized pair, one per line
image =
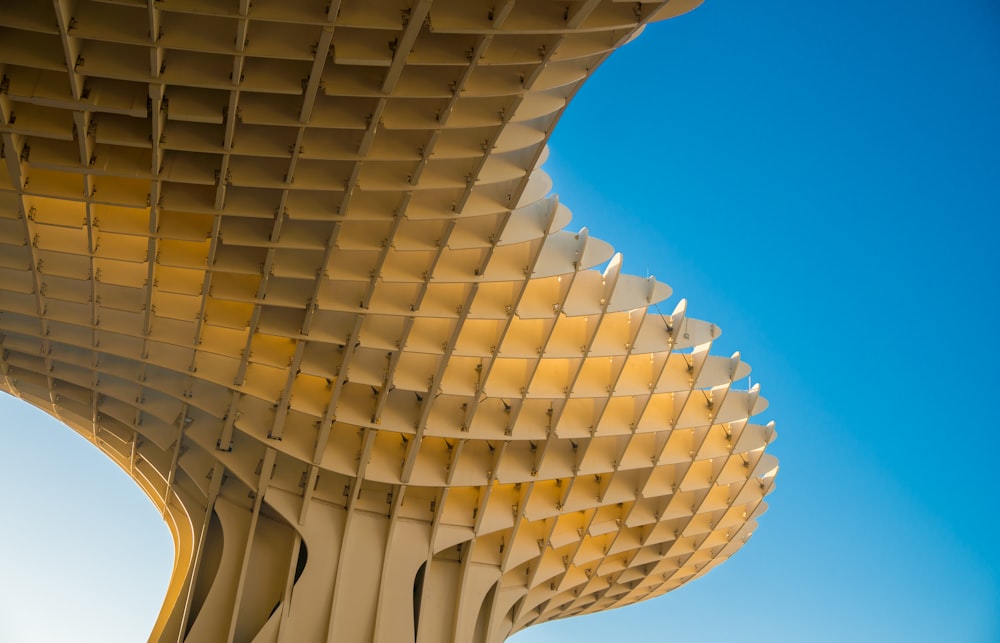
(823, 181)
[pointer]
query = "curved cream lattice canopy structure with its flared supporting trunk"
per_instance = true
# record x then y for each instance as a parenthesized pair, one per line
(295, 268)
